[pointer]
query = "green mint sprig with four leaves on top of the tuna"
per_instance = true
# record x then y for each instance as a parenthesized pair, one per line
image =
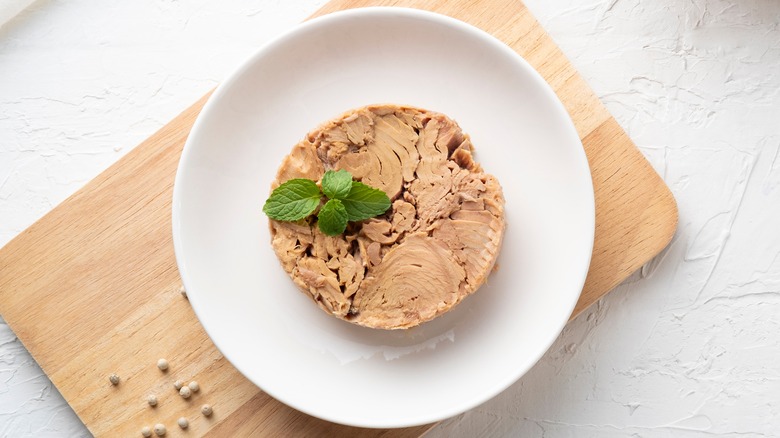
(347, 201)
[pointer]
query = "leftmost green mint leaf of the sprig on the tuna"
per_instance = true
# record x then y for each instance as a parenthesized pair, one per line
(293, 200)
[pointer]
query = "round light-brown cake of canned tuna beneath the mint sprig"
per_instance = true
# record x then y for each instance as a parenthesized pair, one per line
(435, 246)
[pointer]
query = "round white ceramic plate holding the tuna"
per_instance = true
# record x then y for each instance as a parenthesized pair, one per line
(276, 336)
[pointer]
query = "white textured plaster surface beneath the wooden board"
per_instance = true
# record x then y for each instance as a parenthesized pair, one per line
(690, 346)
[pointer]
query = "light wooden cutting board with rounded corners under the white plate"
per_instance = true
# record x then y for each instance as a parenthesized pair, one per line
(92, 288)
